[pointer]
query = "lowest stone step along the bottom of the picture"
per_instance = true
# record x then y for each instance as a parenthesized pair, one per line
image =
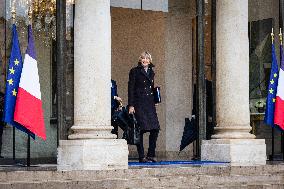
(203, 181)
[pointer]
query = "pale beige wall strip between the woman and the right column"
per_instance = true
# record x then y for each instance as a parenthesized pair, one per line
(178, 74)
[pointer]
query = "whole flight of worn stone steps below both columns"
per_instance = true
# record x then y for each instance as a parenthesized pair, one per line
(208, 177)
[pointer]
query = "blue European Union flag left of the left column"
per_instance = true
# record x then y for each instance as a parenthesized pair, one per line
(13, 80)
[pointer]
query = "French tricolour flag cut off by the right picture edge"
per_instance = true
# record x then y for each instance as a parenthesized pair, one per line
(279, 104)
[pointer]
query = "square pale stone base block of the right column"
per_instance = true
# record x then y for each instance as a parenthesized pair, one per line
(239, 152)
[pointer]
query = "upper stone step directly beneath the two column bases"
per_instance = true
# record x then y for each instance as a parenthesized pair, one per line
(29, 176)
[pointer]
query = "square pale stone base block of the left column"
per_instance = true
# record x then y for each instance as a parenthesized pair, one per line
(92, 154)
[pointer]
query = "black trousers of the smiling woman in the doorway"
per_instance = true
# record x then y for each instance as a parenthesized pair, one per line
(152, 143)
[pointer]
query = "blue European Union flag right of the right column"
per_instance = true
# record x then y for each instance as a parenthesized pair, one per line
(272, 89)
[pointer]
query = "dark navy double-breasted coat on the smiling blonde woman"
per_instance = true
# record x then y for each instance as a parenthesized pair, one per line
(140, 95)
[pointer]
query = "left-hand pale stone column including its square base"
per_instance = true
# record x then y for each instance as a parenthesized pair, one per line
(92, 146)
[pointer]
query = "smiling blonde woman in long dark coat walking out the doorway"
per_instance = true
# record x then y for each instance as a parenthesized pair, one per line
(141, 102)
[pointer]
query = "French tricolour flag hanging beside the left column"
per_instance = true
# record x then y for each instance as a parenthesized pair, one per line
(28, 109)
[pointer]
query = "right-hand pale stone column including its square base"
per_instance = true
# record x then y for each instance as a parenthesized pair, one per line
(232, 141)
